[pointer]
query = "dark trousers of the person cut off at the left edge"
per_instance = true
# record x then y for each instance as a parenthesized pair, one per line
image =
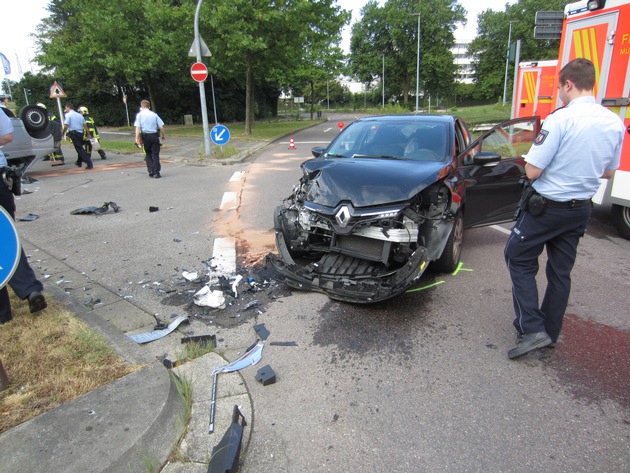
(23, 282)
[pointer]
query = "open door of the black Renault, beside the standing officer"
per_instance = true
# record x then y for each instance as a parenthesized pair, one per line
(492, 168)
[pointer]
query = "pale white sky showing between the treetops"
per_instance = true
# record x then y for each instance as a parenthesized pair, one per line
(24, 15)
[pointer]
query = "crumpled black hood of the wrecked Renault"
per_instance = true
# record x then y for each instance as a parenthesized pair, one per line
(367, 182)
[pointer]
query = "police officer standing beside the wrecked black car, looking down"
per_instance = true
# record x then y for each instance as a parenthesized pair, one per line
(577, 145)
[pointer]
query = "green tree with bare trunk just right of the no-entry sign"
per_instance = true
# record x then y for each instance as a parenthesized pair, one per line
(286, 42)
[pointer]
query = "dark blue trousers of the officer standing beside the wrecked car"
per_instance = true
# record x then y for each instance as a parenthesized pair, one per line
(559, 231)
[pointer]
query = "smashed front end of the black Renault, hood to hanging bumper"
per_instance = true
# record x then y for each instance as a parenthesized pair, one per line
(362, 233)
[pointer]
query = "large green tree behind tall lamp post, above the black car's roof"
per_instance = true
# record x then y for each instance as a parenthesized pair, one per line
(391, 32)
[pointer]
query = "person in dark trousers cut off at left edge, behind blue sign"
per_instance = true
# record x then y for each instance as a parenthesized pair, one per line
(23, 282)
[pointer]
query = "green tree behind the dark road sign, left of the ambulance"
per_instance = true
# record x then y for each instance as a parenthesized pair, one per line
(489, 48)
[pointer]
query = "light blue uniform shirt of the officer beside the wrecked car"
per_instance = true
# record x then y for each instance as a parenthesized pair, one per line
(576, 144)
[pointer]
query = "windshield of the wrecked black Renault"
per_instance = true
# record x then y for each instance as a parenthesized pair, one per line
(420, 141)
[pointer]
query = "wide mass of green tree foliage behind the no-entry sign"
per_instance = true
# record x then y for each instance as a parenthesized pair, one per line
(104, 49)
